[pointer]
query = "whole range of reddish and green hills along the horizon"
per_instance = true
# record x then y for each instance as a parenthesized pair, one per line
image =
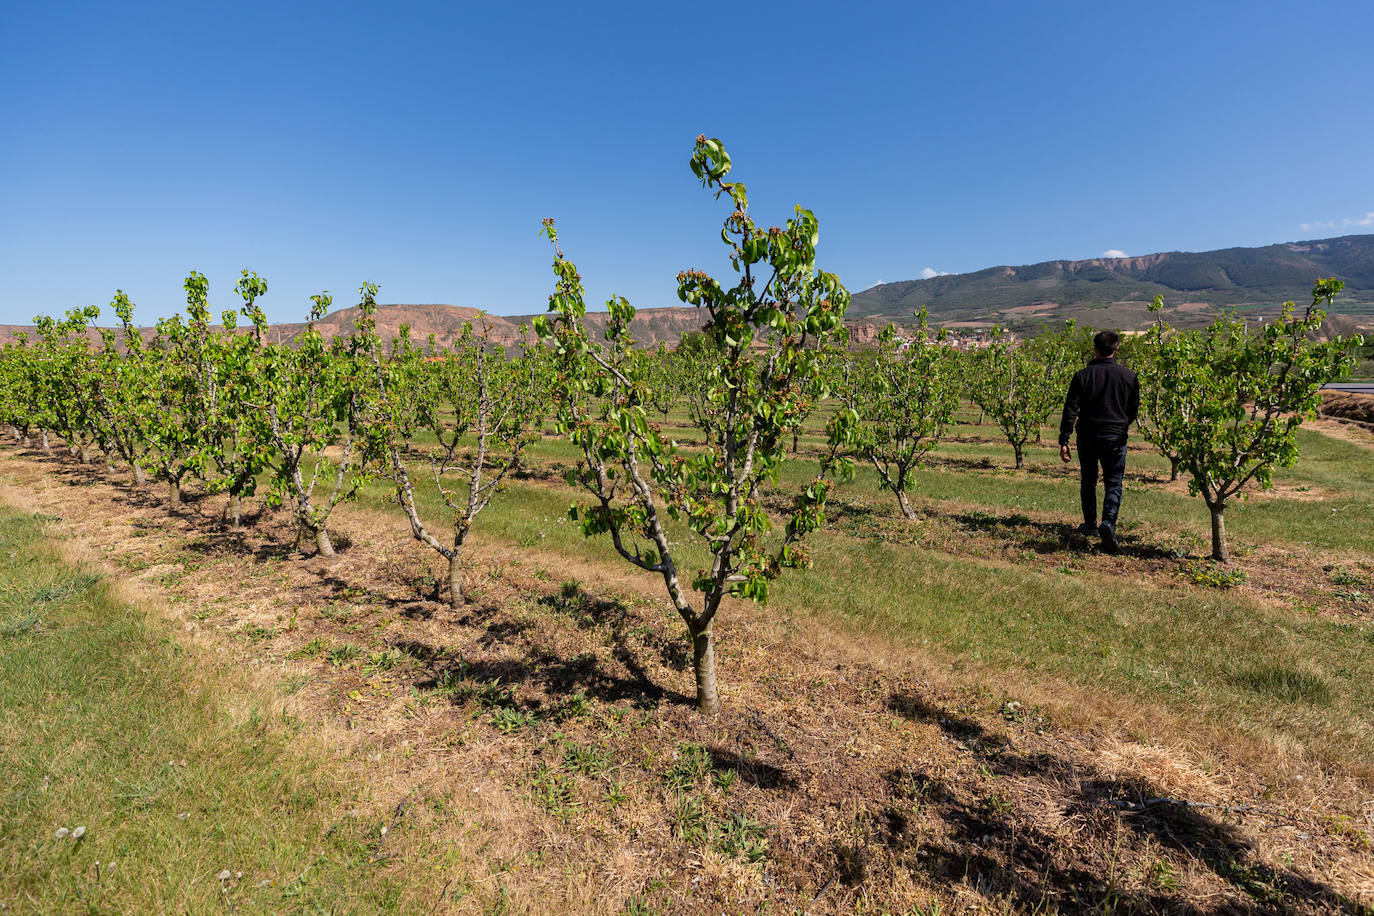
(1097, 293)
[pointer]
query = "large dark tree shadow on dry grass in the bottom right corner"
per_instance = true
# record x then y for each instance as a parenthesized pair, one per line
(1122, 827)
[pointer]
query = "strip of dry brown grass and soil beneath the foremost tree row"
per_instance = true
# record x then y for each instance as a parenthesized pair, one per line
(548, 729)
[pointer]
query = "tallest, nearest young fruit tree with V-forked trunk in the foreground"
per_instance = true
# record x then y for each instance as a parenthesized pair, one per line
(759, 377)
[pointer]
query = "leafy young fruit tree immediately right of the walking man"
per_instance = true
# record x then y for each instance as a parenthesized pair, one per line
(1235, 400)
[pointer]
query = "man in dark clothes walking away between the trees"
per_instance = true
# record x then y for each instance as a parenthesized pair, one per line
(1104, 400)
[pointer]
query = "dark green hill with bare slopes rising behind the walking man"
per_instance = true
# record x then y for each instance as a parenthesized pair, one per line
(1118, 292)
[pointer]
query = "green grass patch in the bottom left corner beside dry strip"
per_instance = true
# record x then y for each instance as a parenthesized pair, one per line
(130, 789)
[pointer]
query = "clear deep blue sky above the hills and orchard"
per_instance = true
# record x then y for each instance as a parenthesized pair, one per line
(418, 145)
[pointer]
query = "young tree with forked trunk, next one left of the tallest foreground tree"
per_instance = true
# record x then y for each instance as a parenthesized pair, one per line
(483, 410)
